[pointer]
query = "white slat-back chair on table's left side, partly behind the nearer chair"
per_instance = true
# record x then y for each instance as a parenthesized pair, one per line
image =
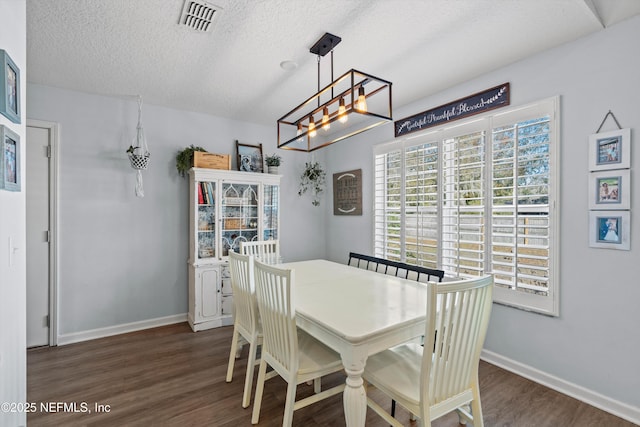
(246, 323)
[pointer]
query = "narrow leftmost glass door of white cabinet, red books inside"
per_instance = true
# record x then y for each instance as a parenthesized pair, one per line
(206, 219)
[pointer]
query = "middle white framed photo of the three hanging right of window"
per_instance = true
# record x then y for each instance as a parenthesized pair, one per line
(610, 189)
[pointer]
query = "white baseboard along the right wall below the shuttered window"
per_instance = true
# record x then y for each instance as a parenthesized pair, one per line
(619, 409)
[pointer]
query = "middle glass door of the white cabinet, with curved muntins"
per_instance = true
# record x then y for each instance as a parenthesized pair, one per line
(239, 210)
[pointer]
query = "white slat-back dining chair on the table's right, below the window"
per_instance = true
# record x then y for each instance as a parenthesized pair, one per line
(447, 366)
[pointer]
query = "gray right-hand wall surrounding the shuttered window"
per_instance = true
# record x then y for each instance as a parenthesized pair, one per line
(594, 343)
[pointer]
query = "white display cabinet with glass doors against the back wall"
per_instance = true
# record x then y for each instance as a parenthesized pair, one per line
(225, 208)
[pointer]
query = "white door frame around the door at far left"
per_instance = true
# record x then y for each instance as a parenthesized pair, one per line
(54, 142)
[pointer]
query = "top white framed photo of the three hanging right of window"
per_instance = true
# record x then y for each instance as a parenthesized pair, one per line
(610, 150)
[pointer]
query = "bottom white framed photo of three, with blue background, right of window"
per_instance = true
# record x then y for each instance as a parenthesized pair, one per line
(609, 229)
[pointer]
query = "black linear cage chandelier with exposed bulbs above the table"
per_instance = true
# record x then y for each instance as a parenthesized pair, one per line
(353, 103)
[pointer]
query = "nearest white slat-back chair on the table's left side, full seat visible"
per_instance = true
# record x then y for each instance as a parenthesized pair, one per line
(293, 354)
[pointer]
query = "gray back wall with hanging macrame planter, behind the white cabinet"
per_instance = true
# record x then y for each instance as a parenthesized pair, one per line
(123, 259)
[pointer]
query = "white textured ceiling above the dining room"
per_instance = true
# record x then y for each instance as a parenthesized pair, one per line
(131, 47)
